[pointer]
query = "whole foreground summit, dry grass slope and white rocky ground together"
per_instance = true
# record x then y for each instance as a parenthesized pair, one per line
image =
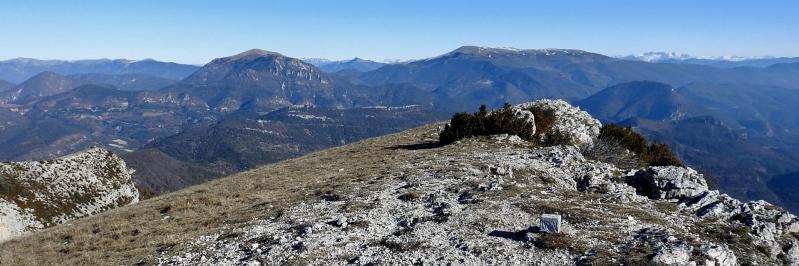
(406, 199)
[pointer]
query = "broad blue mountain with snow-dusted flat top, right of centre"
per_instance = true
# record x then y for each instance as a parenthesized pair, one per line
(471, 76)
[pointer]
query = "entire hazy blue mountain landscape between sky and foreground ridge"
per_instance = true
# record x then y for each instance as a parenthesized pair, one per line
(258, 107)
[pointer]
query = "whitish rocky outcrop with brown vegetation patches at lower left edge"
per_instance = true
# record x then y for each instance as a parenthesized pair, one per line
(39, 194)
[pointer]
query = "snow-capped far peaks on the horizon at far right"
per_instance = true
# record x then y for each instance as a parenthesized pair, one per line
(725, 62)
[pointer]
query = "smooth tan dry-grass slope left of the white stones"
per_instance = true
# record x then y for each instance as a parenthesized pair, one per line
(139, 232)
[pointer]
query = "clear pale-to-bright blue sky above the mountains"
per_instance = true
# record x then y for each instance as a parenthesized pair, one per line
(198, 31)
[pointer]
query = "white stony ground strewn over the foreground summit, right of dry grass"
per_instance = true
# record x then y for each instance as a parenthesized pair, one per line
(478, 202)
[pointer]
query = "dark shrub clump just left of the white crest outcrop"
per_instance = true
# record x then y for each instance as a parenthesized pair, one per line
(484, 123)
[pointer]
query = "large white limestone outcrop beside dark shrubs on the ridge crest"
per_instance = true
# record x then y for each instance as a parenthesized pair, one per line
(575, 123)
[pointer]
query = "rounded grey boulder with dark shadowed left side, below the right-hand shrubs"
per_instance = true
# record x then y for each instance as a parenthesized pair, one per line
(668, 182)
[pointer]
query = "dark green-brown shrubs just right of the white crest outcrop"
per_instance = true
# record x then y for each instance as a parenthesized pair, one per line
(614, 141)
